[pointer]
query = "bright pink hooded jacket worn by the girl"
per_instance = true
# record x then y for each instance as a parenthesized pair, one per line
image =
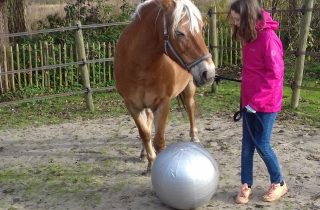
(263, 68)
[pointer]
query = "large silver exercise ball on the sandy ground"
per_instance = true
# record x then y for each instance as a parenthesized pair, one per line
(184, 175)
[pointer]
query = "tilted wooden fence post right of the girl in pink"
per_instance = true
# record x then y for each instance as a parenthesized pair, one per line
(302, 45)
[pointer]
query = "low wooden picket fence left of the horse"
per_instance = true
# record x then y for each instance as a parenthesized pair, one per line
(19, 57)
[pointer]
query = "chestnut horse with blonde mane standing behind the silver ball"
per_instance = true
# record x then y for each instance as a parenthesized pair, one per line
(160, 55)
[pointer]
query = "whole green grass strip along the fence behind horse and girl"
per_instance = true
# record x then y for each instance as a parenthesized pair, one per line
(109, 104)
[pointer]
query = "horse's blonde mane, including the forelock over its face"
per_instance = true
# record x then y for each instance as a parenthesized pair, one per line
(183, 8)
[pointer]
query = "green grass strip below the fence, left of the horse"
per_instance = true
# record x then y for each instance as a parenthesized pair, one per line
(59, 110)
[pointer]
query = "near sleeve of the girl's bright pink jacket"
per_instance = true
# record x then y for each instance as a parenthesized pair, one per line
(273, 73)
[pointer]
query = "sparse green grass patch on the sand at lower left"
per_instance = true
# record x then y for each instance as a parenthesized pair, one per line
(56, 180)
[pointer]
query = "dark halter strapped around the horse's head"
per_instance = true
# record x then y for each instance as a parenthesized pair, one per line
(168, 45)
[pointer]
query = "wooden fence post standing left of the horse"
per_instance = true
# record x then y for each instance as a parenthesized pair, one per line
(83, 67)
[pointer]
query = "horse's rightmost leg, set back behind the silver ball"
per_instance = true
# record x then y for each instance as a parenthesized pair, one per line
(188, 99)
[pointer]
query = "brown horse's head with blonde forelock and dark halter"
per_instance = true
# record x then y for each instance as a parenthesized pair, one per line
(183, 39)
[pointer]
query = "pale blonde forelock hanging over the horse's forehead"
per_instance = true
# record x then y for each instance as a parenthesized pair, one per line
(185, 8)
